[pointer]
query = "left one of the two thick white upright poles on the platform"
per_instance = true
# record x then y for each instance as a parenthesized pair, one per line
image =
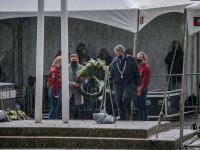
(39, 62)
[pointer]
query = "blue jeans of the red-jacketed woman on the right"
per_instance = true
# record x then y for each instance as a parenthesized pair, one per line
(142, 107)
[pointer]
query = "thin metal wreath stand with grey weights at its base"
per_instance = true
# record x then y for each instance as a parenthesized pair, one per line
(103, 117)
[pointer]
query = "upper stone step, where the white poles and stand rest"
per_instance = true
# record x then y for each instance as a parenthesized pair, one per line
(79, 128)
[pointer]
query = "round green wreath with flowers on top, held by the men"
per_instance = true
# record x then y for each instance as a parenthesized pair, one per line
(94, 69)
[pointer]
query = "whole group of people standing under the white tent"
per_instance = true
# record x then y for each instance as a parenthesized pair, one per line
(129, 76)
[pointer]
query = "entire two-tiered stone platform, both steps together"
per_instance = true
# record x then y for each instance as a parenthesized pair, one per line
(89, 135)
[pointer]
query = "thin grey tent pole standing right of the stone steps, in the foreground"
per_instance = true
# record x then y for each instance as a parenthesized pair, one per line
(184, 80)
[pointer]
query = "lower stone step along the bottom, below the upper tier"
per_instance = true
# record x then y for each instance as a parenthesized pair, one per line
(168, 140)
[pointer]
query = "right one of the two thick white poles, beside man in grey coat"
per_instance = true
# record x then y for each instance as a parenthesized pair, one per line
(65, 68)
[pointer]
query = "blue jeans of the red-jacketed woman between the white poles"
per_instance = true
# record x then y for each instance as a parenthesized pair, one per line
(55, 103)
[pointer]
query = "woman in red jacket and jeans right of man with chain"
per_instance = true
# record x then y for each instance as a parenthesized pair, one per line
(145, 72)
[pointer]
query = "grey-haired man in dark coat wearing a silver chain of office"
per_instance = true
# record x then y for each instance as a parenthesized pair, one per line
(125, 75)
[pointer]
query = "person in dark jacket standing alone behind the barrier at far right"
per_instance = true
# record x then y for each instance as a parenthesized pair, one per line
(175, 82)
